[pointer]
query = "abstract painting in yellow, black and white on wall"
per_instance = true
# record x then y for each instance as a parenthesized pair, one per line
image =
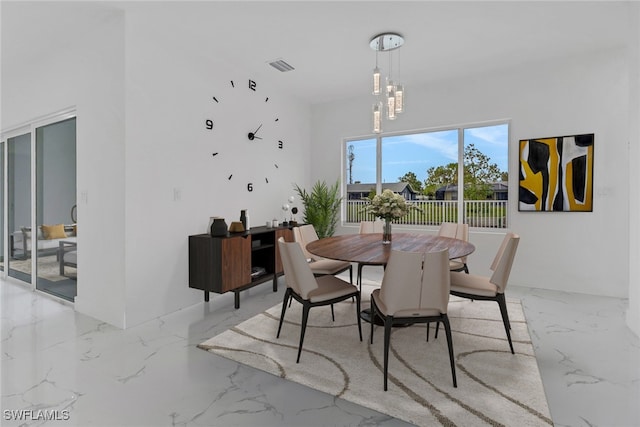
(556, 174)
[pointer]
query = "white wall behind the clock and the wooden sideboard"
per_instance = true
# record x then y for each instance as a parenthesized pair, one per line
(174, 184)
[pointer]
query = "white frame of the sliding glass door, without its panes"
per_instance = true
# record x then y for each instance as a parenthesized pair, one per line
(24, 128)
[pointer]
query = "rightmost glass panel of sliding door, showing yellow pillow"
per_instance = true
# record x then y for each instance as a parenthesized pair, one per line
(55, 209)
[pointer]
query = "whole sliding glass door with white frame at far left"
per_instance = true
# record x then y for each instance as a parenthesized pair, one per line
(38, 228)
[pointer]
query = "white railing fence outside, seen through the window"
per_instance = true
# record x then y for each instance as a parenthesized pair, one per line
(477, 213)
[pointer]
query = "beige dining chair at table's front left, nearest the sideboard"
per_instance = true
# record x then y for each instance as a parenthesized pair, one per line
(309, 290)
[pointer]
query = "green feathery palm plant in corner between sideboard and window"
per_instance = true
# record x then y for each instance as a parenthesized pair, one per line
(321, 207)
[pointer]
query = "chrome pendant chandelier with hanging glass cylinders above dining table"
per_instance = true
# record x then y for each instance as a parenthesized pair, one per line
(393, 102)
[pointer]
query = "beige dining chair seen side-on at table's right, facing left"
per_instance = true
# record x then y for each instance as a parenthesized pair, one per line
(490, 288)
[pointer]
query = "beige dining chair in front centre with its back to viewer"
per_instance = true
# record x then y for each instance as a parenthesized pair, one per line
(415, 289)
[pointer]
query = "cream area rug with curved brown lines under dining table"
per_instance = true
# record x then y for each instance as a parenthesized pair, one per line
(495, 387)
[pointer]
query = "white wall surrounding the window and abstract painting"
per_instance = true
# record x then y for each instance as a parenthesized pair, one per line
(575, 252)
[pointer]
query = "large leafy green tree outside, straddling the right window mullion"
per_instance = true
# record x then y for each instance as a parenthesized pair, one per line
(479, 174)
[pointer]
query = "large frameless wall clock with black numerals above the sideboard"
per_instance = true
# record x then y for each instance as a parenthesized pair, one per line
(247, 144)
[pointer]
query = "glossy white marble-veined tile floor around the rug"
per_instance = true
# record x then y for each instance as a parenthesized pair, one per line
(153, 374)
